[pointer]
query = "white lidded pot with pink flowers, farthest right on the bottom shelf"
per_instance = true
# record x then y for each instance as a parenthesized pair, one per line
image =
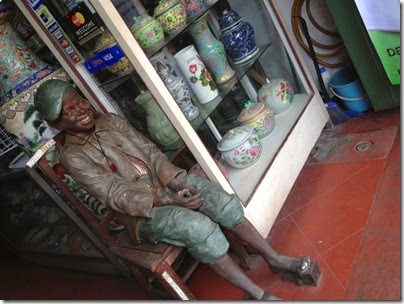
(276, 94)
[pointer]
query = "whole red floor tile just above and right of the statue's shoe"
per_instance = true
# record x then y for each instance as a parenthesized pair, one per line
(336, 215)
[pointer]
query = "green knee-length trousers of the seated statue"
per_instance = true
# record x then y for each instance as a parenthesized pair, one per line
(199, 231)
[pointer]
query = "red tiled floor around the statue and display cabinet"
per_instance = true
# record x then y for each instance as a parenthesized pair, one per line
(344, 212)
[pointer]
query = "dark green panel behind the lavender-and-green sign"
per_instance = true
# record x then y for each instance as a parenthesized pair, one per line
(381, 93)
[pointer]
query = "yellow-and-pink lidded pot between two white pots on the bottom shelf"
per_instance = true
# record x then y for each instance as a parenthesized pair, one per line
(259, 117)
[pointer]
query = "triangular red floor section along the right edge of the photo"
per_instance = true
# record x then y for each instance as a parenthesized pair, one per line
(379, 258)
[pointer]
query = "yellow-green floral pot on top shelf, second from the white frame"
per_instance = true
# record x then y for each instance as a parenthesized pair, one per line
(172, 15)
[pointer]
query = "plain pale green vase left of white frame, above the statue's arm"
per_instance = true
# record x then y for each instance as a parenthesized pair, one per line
(158, 125)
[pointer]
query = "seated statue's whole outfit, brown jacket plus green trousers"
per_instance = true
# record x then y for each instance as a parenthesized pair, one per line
(131, 194)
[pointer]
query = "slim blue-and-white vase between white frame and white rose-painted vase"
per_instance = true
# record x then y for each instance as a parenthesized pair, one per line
(179, 89)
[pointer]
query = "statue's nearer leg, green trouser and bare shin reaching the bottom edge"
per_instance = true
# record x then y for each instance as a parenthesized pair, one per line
(204, 240)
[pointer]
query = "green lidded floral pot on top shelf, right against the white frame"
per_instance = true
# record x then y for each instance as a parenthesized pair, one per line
(148, 32)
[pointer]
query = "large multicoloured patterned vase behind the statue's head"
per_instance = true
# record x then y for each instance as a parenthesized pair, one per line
(22, 72)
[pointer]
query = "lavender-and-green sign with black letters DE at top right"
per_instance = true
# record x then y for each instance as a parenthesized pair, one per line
(382, 21)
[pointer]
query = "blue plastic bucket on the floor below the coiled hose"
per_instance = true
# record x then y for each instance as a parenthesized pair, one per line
(345, 85)
